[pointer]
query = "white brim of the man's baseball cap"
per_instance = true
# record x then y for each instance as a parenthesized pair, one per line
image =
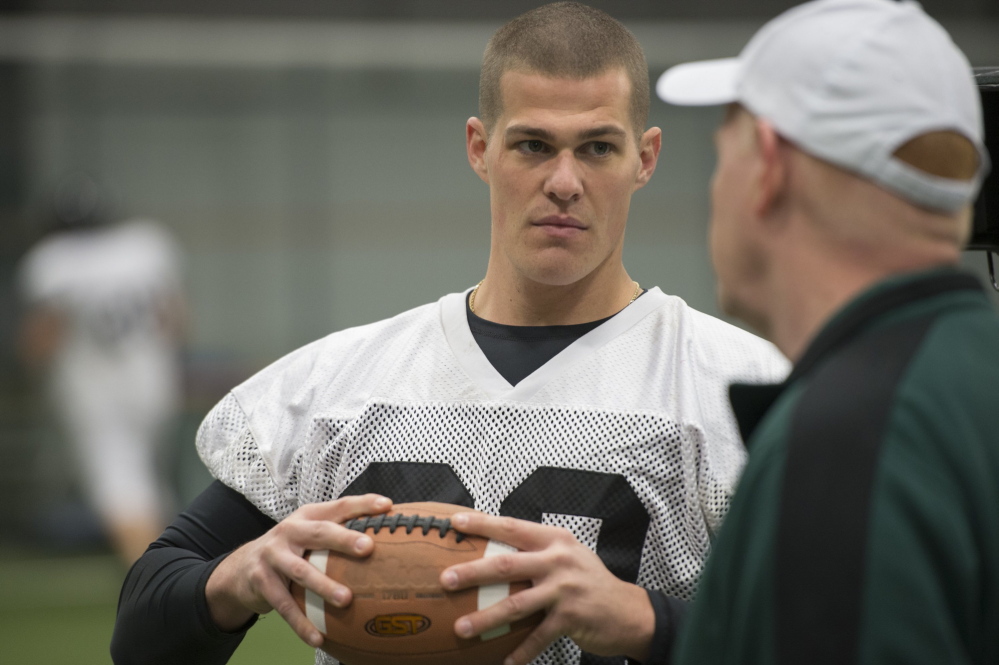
(704, 83)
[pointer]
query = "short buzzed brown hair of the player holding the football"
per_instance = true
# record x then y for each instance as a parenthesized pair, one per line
(563, 40)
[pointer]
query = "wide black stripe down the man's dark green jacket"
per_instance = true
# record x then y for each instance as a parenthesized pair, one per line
(833, 451)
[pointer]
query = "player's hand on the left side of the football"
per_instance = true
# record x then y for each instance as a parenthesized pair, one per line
(254, 578)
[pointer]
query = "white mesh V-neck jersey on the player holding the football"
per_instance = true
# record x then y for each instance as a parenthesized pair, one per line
(626, 437)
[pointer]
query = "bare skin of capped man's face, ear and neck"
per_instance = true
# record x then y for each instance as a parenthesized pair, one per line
(794, 237)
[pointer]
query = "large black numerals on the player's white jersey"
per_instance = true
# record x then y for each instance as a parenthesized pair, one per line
(604, 496)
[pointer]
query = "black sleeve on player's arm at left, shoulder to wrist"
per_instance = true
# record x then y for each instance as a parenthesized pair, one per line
(162, 611)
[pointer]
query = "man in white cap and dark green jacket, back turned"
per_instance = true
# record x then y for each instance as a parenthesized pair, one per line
(866, 524)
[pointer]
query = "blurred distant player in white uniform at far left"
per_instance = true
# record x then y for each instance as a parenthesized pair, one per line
(103, 321)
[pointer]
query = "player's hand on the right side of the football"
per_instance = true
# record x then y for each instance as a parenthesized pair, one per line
(582, 599)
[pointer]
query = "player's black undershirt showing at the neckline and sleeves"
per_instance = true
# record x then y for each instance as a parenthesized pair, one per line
(155, 623)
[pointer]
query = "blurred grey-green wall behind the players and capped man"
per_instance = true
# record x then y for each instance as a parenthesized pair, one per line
(309, 156)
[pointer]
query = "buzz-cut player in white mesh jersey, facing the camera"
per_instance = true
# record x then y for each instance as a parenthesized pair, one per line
(558, 393)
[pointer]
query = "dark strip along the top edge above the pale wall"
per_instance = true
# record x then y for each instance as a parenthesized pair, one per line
(434, 10)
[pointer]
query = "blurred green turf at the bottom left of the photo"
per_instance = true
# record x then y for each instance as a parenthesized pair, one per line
(57, 611)
